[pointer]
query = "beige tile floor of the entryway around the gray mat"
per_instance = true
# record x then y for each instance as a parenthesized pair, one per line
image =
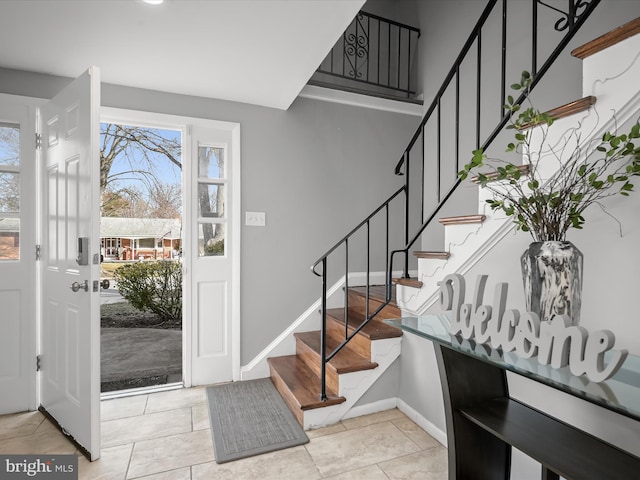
(166, 436)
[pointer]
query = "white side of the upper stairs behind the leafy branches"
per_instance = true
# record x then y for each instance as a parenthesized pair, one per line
(618, 101)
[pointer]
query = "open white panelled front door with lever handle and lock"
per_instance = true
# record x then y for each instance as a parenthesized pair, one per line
(70, 330)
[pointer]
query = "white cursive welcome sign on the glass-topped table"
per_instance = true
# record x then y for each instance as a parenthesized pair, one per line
(556, 342)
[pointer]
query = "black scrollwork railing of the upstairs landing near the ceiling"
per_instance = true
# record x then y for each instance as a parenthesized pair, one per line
(376, 52)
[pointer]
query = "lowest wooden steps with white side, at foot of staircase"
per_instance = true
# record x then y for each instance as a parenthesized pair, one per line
(350, 372)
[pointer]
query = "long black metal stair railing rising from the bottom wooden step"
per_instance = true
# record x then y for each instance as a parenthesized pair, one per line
(433, 141)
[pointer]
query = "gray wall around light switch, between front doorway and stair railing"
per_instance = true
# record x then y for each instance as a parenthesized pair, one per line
(316, 170)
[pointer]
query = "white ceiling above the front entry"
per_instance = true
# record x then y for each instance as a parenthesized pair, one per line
(254, 51)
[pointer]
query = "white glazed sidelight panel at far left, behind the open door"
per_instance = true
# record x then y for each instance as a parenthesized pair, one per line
(17, 256)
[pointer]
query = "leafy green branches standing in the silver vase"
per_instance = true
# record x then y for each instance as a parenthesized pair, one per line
(587, 173)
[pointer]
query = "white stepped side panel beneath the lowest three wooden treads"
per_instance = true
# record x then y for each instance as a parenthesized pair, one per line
(354, 385)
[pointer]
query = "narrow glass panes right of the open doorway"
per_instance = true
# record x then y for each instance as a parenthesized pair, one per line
(211, 201)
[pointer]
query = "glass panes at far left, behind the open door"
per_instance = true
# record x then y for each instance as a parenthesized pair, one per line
(9, 192)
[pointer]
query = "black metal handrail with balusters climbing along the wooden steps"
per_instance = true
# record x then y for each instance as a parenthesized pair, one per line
(578, 12)
